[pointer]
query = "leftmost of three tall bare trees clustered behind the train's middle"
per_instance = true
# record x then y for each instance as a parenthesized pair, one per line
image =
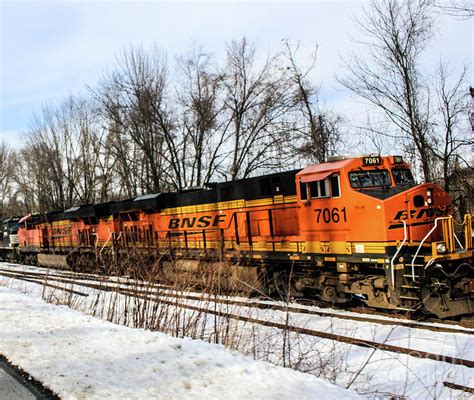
(133, 99)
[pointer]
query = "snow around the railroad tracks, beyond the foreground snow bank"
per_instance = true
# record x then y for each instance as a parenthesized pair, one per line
(370, 372)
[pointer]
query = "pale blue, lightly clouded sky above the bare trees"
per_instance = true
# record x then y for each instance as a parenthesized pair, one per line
(49, 50)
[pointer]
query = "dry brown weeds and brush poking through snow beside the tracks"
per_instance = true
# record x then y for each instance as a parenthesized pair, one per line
(160, 306)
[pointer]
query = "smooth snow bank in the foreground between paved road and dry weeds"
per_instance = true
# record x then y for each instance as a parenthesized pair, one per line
(81, 357)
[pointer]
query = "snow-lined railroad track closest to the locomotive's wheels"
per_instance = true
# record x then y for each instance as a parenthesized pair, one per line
(78, 279)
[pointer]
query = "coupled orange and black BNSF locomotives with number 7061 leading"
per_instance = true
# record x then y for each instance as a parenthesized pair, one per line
(349, 228)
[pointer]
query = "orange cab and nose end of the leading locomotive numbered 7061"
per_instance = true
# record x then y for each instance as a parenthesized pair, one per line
(372, 232)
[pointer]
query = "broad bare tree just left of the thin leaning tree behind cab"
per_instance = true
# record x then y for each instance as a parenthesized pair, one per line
(256, 100)
